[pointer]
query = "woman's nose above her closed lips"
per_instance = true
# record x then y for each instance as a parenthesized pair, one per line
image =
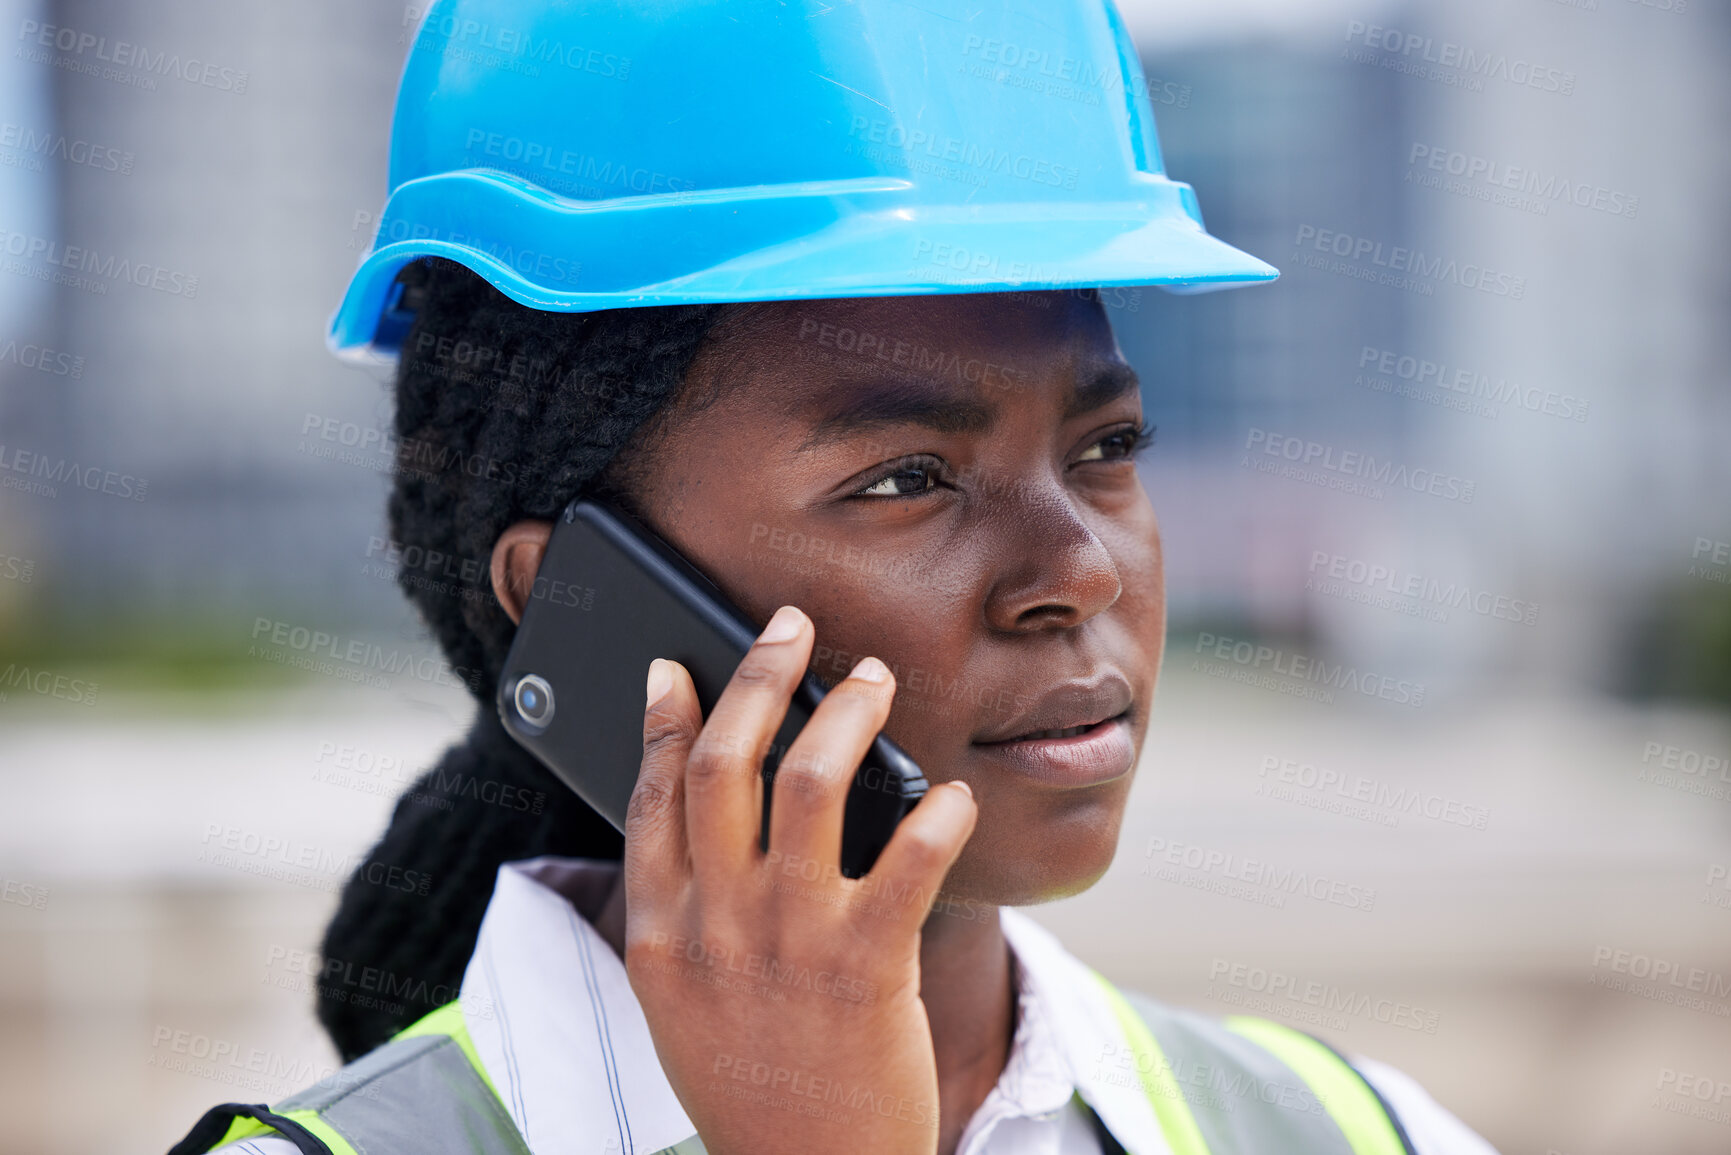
(1055, 571)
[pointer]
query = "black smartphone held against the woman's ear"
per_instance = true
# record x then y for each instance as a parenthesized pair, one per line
(610, 598)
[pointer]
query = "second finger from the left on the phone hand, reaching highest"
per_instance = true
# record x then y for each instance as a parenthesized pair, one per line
(724, 775)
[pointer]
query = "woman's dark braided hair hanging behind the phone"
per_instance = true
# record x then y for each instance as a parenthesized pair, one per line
(503, 413)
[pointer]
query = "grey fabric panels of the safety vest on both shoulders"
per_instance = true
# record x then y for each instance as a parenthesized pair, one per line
(423, 1097)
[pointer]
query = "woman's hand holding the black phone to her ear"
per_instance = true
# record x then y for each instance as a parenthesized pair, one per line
(783, 998)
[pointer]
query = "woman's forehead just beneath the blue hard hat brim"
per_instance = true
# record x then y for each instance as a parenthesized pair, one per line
(951, 363)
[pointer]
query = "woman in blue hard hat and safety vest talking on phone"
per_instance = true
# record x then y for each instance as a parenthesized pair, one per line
(989, 595)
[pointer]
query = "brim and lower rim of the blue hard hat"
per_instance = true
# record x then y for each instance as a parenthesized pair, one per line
(844, 240)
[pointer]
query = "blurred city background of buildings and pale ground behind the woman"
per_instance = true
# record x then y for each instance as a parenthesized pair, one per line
(1554, 342)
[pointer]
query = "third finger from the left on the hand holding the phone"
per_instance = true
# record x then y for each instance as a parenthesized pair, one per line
(818, 771)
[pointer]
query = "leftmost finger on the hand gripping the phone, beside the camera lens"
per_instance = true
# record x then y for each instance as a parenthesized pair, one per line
(655, 820)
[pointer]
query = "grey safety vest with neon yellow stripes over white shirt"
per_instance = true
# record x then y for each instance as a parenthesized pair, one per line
(1235, 1087)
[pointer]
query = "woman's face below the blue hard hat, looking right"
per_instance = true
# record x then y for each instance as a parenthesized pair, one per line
(946, 484)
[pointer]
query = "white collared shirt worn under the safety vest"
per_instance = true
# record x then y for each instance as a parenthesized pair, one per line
(565, 1042)
